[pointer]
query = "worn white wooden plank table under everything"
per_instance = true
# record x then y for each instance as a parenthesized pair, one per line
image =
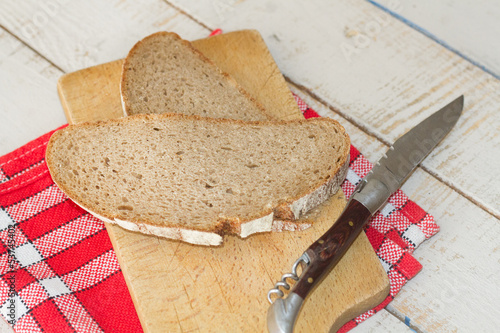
(348, 59)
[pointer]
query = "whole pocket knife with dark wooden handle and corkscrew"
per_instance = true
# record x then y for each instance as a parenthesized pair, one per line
(372, 192)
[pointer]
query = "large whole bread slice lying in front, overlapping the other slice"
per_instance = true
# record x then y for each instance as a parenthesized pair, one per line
(197, 179)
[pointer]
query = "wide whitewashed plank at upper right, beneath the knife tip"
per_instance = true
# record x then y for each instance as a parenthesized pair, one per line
(381, 74)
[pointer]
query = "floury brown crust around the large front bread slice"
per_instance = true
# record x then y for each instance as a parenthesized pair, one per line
(289, 210)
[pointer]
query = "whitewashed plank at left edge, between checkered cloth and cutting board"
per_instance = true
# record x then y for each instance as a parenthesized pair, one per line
(29, 106)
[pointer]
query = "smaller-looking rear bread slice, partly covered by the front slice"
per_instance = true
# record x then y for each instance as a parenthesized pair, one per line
(164, 73)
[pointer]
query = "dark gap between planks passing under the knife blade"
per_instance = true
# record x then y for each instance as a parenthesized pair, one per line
(365, 129)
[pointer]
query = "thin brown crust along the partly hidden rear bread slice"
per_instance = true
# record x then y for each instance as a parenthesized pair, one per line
(124, 99)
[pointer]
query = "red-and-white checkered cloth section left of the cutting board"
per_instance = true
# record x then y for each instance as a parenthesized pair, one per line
(58, 270)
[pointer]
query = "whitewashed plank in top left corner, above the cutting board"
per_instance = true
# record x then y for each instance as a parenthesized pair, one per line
(77, 35)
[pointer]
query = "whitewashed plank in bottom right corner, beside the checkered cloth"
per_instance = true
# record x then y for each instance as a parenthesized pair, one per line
(460, 264)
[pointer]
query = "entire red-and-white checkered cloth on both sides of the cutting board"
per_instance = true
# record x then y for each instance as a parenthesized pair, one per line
(59, 273)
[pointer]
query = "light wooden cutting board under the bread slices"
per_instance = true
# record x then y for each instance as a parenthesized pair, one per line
(181, 287)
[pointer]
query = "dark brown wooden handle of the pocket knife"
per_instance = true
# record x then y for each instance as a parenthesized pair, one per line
(326, 252)
